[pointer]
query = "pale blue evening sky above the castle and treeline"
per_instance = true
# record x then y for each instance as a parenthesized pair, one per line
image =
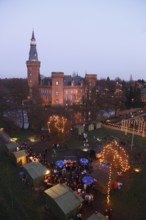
(106, 37)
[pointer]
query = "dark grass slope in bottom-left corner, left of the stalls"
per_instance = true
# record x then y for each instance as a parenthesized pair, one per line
(17, 201)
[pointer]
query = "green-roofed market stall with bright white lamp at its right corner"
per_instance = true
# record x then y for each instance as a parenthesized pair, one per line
(36, 174)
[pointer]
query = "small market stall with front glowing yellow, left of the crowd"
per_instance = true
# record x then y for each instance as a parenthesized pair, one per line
(20, 157)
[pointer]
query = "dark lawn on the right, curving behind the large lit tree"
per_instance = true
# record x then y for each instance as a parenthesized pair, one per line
(129, 202)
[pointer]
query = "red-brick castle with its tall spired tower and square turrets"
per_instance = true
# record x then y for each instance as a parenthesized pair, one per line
(58, 89)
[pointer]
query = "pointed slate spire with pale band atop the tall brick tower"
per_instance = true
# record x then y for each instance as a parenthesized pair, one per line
(33, 56)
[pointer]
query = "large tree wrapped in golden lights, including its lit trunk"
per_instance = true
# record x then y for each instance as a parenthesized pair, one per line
(115, 156)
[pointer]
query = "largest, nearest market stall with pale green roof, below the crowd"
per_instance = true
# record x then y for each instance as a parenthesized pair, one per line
(62, 201)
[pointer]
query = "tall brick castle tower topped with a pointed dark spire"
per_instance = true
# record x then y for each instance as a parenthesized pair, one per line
(33, 67)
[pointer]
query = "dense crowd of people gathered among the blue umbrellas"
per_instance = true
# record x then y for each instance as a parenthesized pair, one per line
(71, 174)
